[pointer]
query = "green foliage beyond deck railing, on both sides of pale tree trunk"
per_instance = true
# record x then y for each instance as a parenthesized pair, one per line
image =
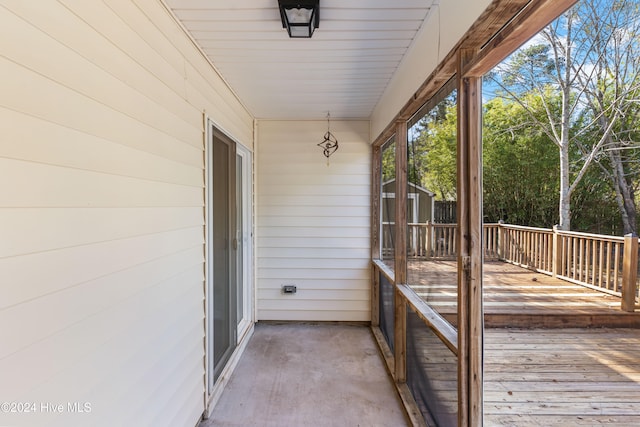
(521, 173)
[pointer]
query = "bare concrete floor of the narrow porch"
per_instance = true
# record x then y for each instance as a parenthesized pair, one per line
(308, 374)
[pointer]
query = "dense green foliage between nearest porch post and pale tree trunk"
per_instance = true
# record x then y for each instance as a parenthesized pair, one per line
(521, 177)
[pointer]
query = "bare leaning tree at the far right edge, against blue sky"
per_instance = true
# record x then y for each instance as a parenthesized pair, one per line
(611, 87)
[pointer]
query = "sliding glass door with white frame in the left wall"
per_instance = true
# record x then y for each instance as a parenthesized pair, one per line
(229, 249)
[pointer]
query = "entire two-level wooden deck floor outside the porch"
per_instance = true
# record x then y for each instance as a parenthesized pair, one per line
(564, 375)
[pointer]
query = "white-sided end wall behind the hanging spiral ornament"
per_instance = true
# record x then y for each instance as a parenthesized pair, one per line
(313, 221)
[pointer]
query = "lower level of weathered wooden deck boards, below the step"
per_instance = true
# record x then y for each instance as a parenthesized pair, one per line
(567, 377)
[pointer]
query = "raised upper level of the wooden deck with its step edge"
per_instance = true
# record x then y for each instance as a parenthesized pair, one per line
(517, 297)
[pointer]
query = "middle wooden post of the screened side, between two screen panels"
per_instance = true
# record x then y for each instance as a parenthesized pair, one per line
(401, 251)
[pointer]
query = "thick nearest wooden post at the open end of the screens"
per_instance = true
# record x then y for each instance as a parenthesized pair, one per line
(470, 252)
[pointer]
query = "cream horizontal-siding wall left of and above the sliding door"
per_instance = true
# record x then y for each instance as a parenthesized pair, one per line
(102, 211)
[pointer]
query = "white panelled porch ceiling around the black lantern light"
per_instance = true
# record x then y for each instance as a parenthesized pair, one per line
(344, 68)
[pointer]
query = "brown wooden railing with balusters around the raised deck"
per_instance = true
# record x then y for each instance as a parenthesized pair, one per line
(606, 263)
